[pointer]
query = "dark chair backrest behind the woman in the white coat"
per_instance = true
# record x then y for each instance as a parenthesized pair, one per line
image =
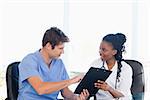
(138, 83)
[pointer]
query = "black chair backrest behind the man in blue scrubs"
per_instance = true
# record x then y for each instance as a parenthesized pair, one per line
(12, 75)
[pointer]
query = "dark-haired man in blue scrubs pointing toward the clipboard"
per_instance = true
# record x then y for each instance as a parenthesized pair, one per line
(42, 75)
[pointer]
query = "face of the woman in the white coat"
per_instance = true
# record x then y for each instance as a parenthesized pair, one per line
(106, 51)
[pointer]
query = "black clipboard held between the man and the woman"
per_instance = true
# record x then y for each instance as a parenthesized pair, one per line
(90, 78)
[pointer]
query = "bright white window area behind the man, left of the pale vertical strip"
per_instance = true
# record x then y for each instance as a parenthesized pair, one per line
(23, 25)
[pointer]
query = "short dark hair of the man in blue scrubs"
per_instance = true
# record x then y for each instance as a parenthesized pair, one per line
(54, 36)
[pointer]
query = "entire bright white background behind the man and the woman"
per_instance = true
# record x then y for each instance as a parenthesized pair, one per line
(84, 21)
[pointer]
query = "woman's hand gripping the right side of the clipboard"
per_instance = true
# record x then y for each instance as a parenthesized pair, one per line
(102, 85)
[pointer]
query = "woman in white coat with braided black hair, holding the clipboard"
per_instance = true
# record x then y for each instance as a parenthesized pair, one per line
(118, 84)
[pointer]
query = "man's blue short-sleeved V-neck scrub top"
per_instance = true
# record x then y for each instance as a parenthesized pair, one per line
(34, 65)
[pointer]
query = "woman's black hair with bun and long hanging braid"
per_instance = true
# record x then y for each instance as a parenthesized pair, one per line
(117, 40)
